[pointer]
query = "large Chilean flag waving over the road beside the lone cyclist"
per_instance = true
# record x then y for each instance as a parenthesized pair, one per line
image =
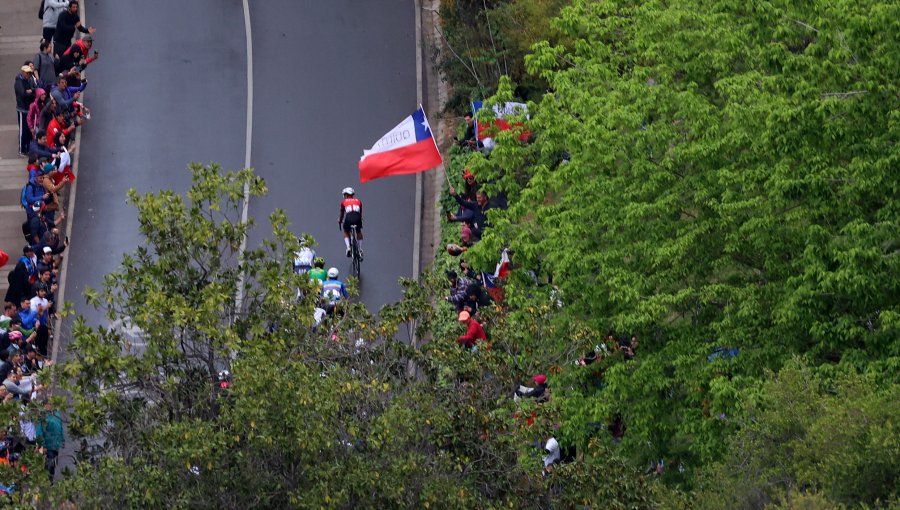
(406, 149)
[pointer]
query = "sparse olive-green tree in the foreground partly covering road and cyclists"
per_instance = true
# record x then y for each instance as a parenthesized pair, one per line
(316, 417)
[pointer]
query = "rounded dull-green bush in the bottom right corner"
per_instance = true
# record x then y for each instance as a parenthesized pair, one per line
(834, 438)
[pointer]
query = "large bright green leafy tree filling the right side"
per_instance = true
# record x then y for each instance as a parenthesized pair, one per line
(702, 176)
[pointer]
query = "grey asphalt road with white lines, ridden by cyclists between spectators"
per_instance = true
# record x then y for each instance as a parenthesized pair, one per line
(330, 77)
